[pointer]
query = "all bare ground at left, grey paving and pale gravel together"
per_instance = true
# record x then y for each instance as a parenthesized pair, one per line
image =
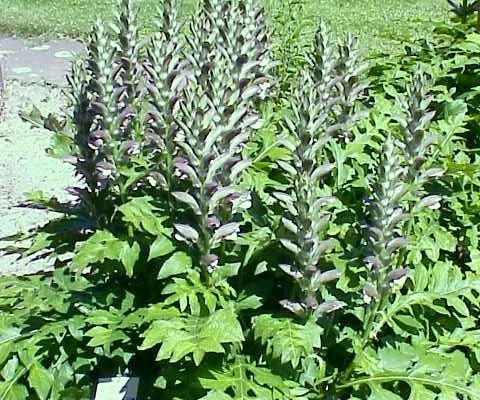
(35, 74)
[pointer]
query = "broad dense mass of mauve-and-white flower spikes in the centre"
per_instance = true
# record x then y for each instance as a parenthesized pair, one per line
(216, 119)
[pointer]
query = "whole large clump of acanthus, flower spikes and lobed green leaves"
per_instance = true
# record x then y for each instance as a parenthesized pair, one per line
(231, 242)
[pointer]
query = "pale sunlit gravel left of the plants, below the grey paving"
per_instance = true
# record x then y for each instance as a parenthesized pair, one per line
(25, 166)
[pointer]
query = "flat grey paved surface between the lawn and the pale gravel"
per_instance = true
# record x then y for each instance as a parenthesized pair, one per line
(37, 62)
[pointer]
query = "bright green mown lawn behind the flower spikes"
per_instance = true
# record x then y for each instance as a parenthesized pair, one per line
(379, 24)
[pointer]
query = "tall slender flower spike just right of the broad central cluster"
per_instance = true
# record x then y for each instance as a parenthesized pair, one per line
(311, 125)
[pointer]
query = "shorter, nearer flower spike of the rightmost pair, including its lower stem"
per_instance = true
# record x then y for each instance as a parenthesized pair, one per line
(386, 217)
